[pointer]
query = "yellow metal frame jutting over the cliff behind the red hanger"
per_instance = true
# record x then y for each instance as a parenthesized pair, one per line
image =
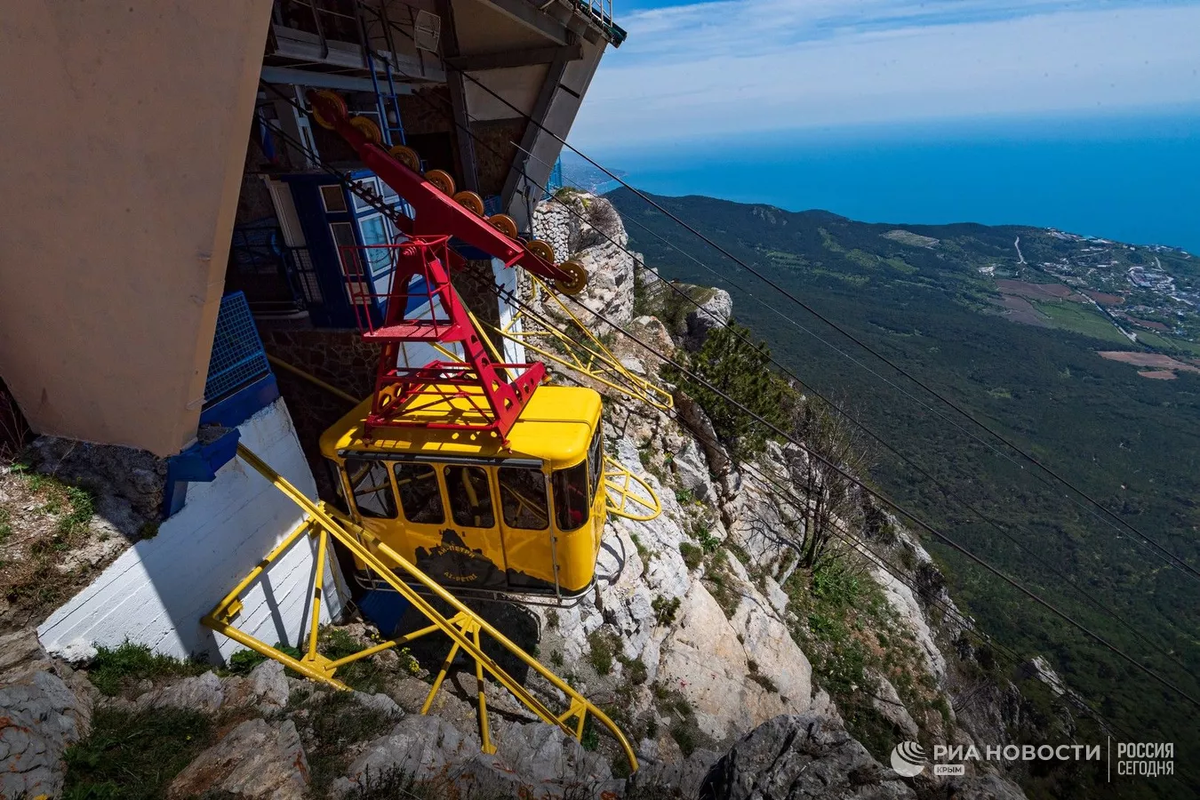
(599, 365)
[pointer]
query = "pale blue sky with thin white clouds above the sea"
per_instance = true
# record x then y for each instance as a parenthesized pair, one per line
(715, 70)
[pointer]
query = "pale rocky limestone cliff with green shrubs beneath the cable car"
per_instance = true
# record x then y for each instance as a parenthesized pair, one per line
(741, 659)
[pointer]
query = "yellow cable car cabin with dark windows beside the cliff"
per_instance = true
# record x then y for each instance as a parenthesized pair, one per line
(476, 513)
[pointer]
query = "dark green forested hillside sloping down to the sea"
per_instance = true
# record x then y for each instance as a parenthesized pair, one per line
(1010, 324)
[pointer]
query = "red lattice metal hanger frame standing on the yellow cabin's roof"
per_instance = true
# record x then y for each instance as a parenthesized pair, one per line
(431, 312)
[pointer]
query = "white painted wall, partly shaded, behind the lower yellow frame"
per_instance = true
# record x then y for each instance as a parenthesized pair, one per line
(158, 591)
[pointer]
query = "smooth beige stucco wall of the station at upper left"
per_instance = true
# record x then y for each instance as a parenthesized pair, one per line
(122, 151)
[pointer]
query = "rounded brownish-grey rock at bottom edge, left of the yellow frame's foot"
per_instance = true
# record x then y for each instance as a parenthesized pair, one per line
(256, 760)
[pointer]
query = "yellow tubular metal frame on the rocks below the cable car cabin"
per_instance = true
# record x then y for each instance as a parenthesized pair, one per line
(465, 628)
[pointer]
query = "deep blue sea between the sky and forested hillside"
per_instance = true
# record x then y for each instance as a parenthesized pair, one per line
(1132, 178)
